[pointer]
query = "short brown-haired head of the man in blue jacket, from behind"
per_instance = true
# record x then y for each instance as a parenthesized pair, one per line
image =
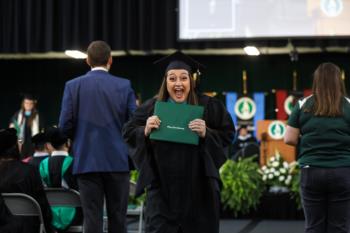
(98, 53)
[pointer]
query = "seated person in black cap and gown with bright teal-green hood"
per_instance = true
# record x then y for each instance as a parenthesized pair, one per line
(56, 172)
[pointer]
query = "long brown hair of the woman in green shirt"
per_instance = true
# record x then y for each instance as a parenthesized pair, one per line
(329, 91)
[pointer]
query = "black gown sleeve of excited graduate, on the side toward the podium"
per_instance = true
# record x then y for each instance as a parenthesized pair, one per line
(219, 135)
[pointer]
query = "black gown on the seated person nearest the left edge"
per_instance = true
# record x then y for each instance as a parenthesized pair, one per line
(18, 177)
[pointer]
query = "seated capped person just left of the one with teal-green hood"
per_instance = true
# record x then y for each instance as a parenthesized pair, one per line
(41, 151)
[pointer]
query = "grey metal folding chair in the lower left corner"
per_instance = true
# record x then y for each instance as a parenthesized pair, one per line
(21, 204)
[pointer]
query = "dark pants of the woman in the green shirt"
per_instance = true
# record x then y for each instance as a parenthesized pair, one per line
(325, 195)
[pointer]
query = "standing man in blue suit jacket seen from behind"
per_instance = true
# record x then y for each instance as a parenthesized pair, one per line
(95, 107)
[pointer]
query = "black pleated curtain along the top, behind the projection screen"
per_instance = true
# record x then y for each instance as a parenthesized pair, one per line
(57, 25)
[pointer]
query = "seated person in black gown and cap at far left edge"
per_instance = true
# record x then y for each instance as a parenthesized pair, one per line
(18, 177)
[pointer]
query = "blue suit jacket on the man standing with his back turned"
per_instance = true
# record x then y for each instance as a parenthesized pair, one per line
(95, 107)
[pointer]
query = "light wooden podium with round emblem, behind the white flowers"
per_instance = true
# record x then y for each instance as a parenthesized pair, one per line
(268, 145)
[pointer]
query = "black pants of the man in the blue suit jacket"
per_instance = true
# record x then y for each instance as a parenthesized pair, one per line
(94, 187)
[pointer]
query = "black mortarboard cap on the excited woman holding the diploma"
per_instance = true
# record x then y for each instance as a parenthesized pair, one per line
(179, 60)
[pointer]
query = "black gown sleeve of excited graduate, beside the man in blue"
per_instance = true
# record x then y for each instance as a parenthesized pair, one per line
(139, 145)
